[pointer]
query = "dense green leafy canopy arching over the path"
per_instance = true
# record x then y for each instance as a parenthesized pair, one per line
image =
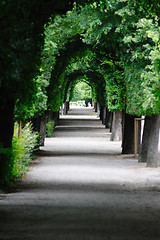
(121, 36)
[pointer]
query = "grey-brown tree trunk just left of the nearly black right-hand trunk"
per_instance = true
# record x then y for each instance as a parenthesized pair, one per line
(117, 126)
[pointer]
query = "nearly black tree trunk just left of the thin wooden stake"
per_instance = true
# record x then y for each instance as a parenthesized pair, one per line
(128, 135)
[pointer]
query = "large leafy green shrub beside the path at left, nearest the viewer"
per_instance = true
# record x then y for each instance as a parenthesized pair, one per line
(14, 162)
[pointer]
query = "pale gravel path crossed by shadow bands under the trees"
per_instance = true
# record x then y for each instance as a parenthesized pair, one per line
(81, 187)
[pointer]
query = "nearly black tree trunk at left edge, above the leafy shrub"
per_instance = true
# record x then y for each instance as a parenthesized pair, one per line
(6, 123)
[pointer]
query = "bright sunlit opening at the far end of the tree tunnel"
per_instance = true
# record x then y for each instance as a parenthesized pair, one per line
(82, 94)
